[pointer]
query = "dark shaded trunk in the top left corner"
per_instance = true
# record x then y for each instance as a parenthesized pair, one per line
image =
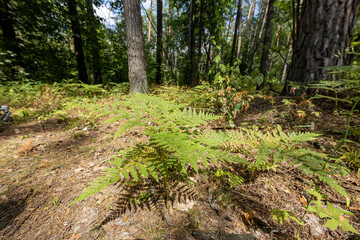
(8, 31)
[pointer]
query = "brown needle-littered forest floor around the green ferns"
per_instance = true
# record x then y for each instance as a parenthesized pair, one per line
(45, 165)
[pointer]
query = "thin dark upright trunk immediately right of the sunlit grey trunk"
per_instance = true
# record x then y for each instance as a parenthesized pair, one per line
(159, 29)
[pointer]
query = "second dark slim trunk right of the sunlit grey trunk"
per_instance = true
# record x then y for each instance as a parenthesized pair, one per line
(192, 81)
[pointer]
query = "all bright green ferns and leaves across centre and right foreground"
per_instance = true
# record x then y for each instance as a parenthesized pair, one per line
(181, 142)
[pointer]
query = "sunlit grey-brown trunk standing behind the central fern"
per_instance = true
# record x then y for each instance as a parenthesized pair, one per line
(135, 46)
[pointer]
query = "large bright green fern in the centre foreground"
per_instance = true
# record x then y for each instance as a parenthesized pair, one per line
(175, 142)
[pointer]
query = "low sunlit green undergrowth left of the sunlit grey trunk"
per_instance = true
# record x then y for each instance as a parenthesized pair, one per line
(32, 100)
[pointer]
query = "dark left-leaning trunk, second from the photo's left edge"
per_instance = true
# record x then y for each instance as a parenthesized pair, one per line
(76, 32)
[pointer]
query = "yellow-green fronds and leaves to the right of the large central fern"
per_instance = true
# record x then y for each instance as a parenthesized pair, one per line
(269, 149)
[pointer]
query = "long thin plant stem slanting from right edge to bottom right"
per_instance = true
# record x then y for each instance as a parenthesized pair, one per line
(326, 163)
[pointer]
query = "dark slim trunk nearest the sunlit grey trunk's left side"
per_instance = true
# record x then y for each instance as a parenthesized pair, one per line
(95, 48)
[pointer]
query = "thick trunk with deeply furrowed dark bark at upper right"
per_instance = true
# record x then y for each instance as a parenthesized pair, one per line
(324, 33)
